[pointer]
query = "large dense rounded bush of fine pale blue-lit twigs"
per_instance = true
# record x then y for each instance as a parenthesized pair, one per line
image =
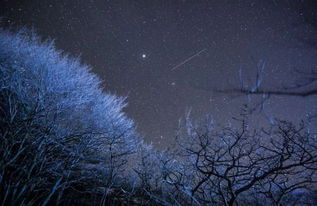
(61, 136)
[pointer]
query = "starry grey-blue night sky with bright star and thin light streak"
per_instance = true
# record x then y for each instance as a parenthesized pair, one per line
(167, 56)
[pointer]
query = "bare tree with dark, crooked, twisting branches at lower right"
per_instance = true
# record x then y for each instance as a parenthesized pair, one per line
(231, 163)
